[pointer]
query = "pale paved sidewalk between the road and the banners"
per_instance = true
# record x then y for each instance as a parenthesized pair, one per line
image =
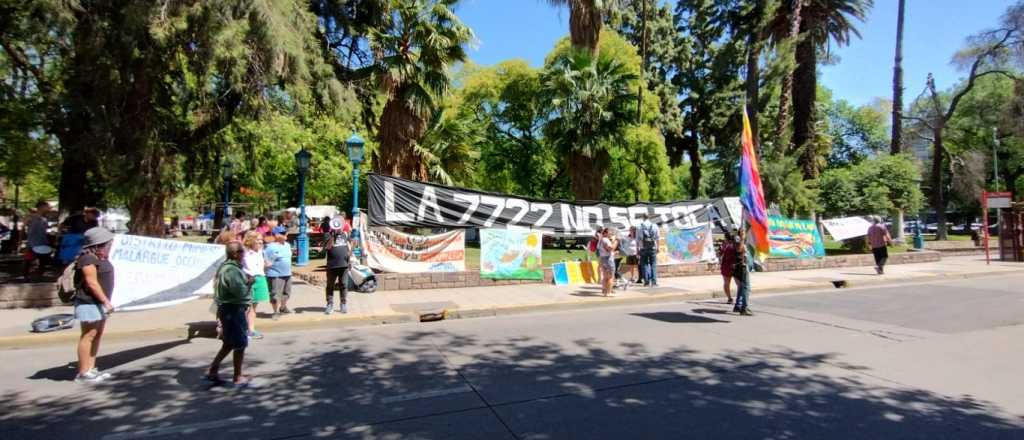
(194, 318)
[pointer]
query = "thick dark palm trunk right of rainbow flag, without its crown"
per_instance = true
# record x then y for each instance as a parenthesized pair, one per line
(804, 95)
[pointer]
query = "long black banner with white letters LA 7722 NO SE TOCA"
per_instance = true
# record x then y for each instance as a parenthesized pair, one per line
(397, 202)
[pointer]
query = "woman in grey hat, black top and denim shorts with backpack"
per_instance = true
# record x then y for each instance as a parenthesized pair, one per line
(95, 278)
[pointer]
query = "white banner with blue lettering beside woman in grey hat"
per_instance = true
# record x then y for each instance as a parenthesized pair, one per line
(153, 273)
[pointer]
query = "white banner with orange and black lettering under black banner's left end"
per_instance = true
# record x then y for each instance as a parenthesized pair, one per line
(393, 251)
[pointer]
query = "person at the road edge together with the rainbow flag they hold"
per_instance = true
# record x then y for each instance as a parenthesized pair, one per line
(752, 197)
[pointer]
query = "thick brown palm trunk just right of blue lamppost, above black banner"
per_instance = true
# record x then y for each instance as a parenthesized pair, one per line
(401, 128)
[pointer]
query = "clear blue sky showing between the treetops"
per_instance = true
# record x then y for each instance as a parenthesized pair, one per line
(934, 31)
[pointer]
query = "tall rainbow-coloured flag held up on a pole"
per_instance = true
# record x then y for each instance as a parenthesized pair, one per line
(752, 195)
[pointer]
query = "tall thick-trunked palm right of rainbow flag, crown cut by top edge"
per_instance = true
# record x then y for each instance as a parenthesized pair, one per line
(822, 22)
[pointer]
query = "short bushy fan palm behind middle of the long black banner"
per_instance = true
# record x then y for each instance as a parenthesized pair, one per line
(593, 103)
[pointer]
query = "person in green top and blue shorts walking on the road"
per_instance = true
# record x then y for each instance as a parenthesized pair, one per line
(234, 296)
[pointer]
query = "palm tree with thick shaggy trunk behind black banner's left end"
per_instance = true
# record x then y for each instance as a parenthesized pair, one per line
(416, 48)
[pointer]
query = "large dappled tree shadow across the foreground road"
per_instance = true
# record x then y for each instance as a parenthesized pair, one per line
(415, 386)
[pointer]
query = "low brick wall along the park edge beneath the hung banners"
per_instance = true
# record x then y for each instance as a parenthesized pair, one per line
(472, 279)
